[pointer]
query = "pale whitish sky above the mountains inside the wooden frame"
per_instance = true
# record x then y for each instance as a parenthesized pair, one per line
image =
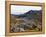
(17, 10)
